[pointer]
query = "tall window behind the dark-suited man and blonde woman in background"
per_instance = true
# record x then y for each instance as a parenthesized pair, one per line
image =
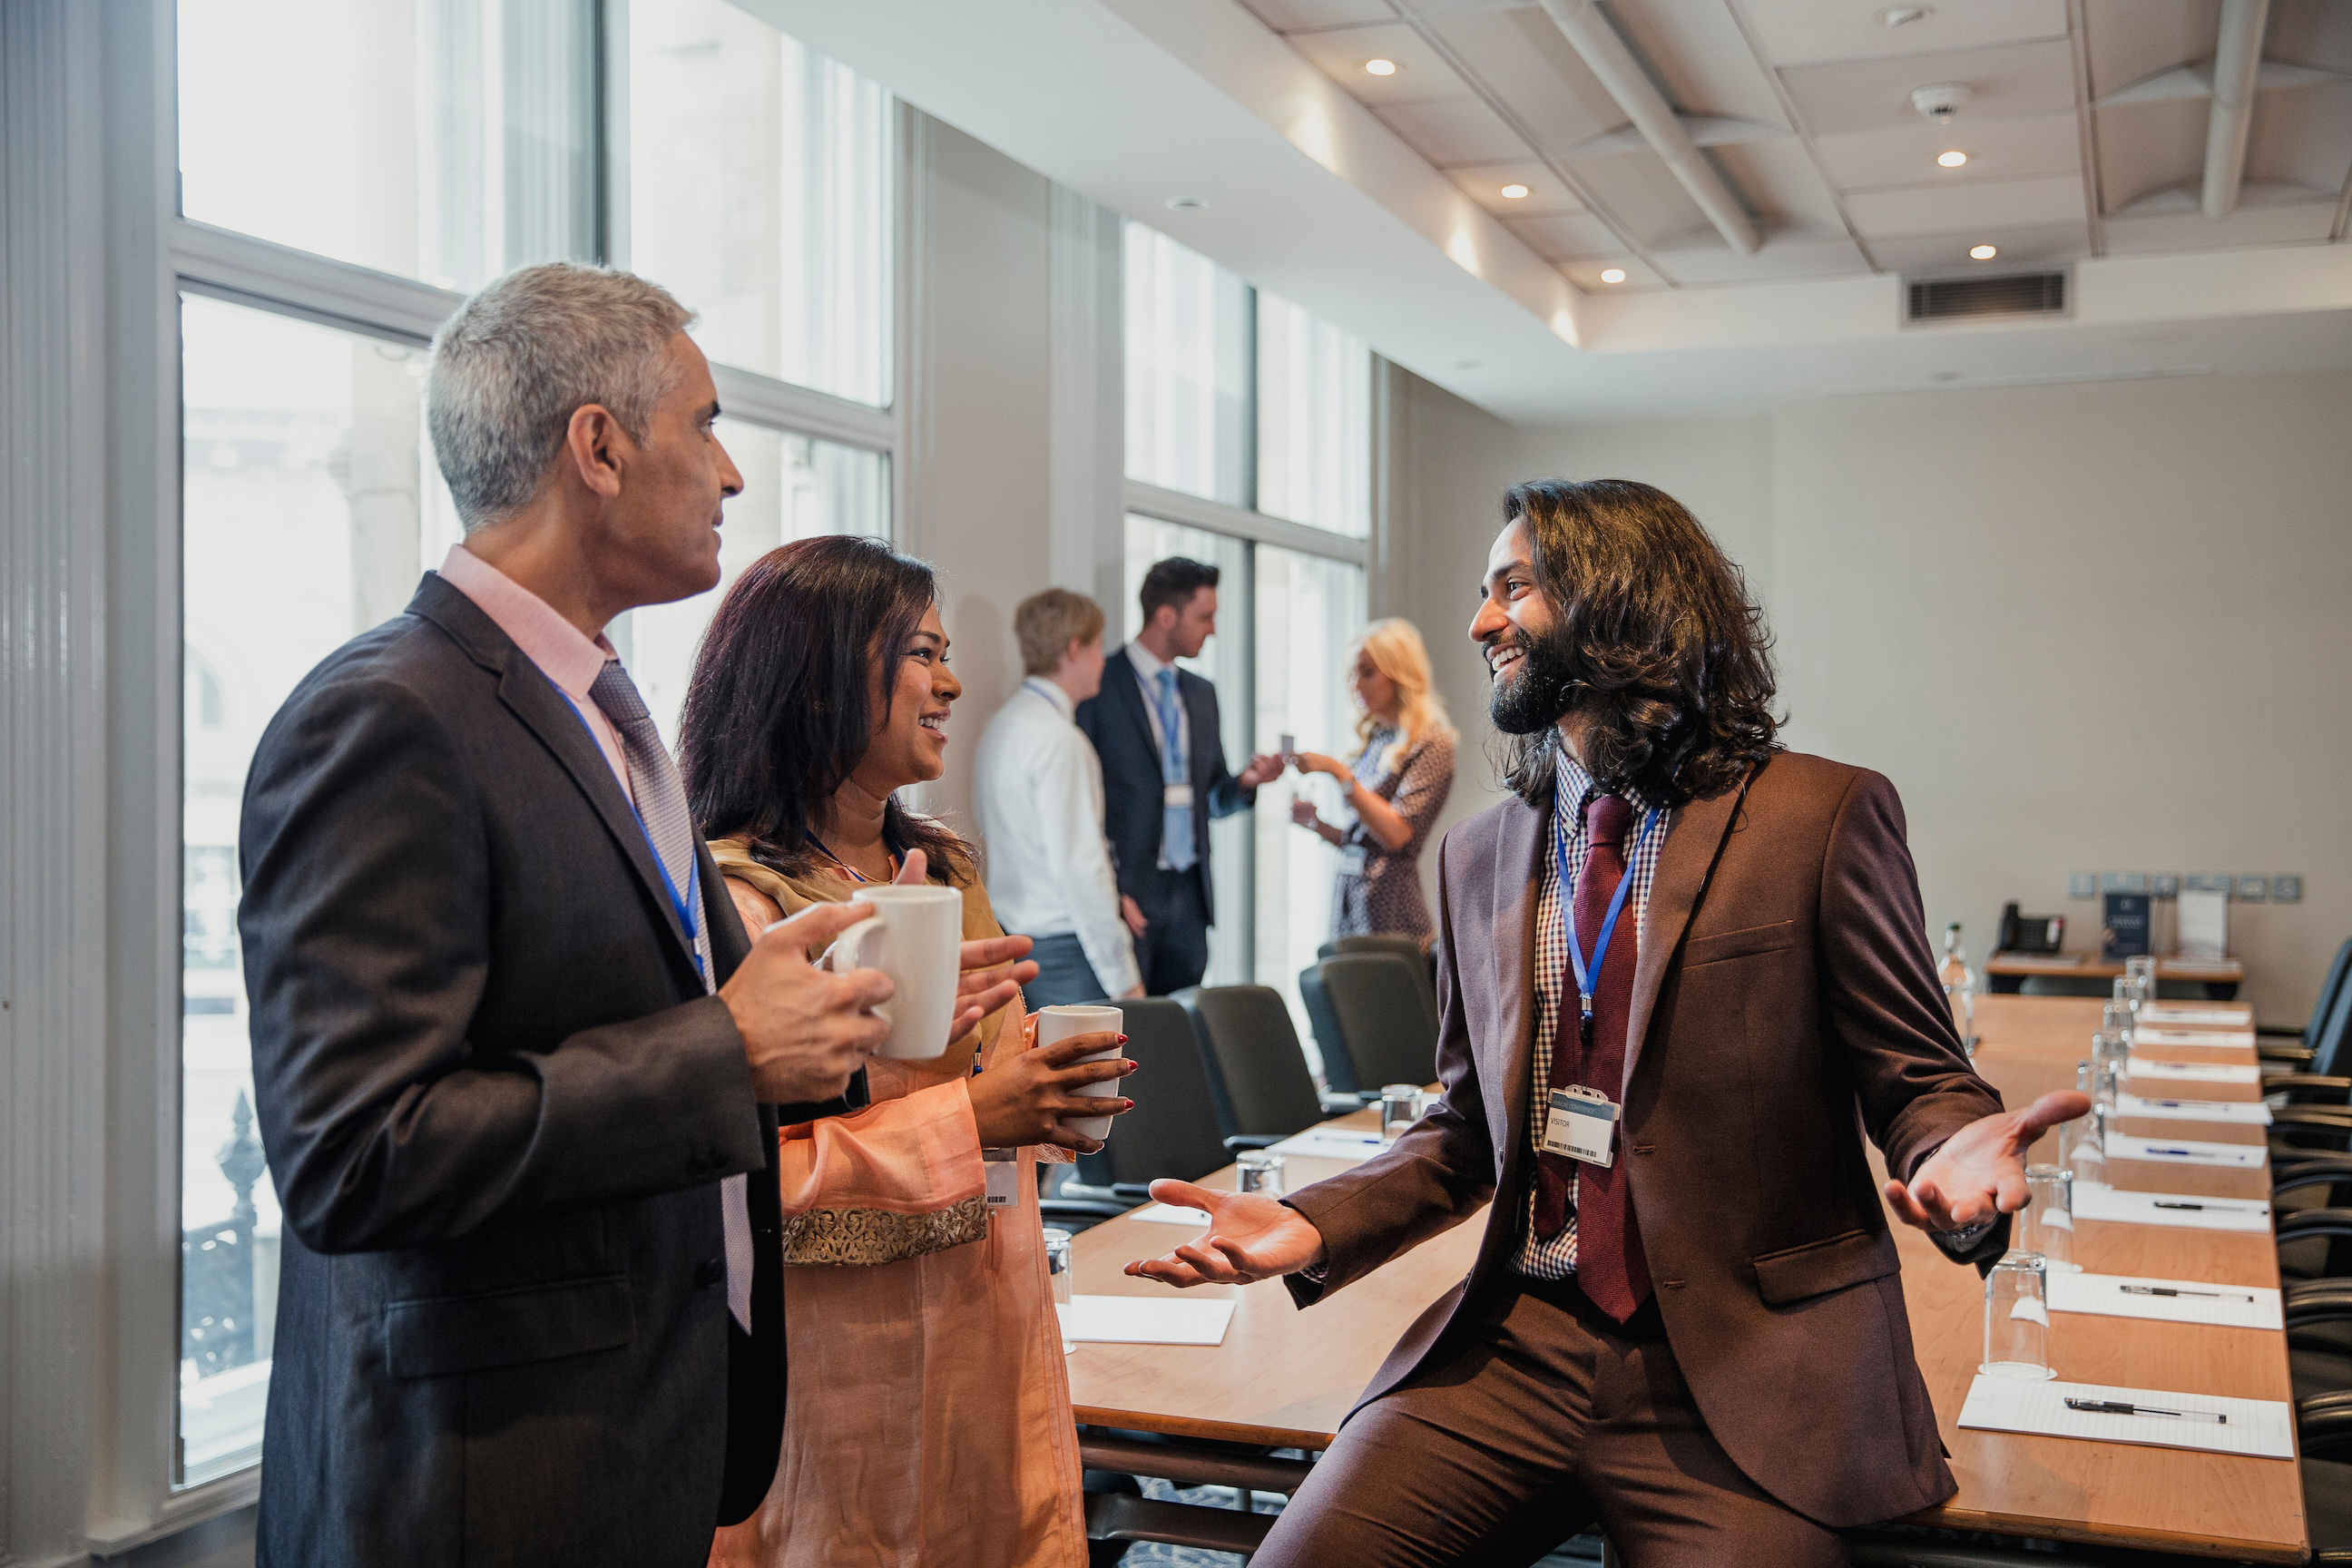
(1245, 420)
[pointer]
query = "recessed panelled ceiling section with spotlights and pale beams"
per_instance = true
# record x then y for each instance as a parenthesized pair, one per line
(2085, 128)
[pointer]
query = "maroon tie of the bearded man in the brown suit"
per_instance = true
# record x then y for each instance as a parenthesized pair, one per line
(1610, 1264)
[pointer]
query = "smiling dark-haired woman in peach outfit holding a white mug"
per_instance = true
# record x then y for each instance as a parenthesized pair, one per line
(930, 1409)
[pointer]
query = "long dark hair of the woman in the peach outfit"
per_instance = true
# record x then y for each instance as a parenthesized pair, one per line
(782, 704)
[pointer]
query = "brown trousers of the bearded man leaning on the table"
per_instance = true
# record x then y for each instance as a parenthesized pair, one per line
(1544, 1423)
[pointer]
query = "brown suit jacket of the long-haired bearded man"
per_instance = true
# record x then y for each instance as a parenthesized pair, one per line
(1784, 1007)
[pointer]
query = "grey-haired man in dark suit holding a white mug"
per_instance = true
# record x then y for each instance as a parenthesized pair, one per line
(519, 1066)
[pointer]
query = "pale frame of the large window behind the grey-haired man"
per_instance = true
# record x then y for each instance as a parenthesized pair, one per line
(159, 255)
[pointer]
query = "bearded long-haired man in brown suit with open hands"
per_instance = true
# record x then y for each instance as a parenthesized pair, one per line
(1683, 974)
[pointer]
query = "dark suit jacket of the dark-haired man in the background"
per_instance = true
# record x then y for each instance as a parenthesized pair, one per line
(1123, 739)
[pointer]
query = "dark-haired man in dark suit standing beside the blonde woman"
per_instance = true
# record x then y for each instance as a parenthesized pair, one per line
(1156, 728)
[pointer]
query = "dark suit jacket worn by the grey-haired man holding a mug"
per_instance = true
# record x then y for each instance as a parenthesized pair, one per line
(497, 1104)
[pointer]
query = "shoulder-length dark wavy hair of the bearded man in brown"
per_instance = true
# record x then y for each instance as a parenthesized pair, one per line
(1657, 636)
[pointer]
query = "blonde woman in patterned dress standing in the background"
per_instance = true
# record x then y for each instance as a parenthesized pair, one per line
(1396, 784)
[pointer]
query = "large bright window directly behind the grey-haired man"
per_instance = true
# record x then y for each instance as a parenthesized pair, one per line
(446, 142)
